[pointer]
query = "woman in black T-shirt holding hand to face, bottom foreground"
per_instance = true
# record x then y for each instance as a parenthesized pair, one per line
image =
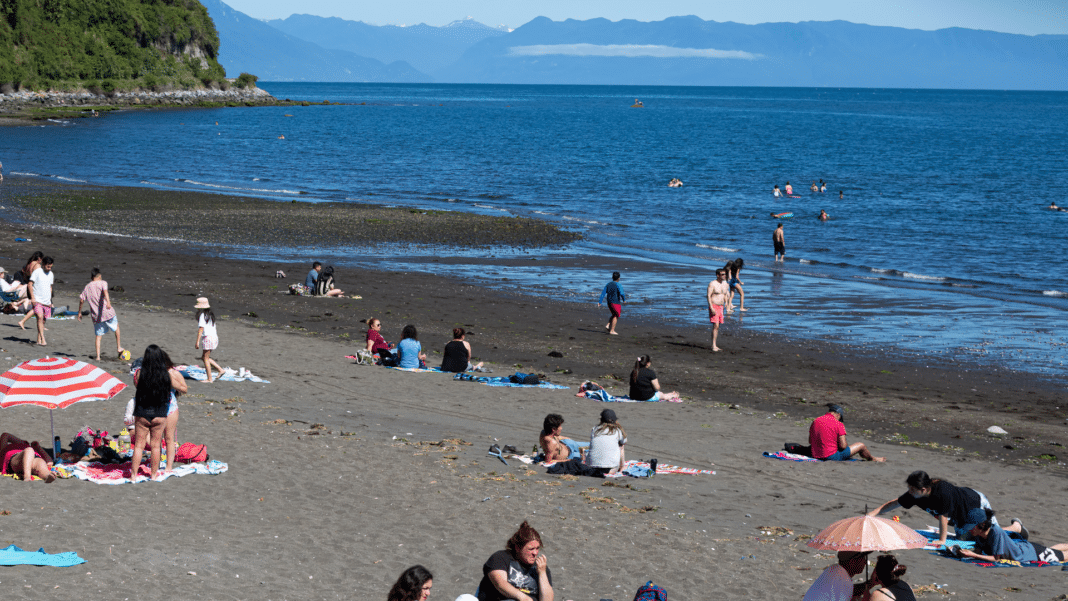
(520, 573)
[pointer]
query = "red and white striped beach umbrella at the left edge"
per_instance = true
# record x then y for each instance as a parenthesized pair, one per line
(56, 384)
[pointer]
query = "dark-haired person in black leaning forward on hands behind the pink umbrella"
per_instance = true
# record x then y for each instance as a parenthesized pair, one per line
(963, 508)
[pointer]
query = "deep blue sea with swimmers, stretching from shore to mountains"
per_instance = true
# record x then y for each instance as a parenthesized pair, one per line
(943, 246)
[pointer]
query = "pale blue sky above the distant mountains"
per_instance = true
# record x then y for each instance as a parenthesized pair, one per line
(1012, 17)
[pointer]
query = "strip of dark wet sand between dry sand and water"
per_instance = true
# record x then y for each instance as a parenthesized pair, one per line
(893, 400)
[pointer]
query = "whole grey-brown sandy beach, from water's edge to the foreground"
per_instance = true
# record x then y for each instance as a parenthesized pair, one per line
(341, 477)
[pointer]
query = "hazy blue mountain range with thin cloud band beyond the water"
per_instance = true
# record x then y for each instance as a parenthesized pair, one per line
(676, 52)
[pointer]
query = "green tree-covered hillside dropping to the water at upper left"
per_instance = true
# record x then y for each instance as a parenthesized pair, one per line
(107, 44)
